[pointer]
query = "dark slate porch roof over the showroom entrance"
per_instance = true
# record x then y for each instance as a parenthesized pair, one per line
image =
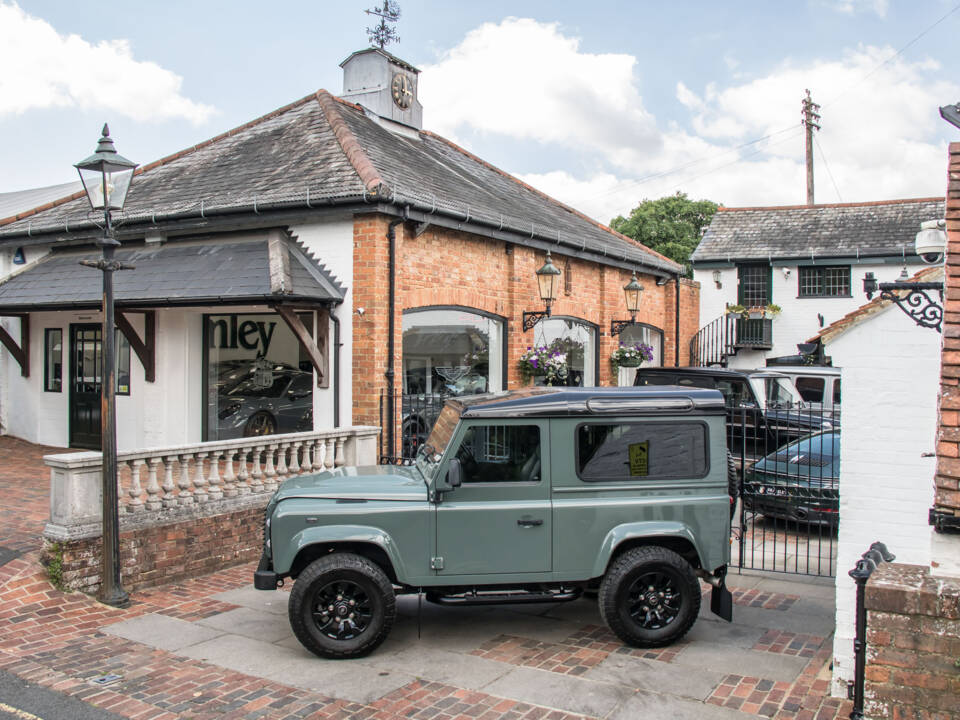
(171, 273)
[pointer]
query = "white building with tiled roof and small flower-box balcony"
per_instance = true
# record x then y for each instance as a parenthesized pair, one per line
(808, 260)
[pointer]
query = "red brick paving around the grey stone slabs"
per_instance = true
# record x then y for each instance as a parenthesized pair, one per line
(56, 640)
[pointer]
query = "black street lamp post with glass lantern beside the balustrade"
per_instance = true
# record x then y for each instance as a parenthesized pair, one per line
(106, 178)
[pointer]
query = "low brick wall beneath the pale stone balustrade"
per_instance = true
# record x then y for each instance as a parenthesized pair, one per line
(162, 554)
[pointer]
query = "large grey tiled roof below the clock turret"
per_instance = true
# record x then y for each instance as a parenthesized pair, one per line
(321, 151)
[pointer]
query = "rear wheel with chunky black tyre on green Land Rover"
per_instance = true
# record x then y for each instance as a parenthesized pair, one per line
(665, 569)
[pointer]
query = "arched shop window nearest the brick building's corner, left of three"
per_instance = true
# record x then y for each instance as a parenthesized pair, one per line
(452, 351)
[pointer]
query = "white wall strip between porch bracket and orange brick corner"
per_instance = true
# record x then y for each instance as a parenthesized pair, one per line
(332, 245)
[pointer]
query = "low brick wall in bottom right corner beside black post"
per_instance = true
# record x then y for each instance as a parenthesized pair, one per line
(914, 645)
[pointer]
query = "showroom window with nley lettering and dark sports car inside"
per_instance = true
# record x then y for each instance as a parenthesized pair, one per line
(259, 380)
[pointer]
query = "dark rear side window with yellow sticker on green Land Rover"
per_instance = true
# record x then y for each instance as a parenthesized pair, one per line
(609, 452)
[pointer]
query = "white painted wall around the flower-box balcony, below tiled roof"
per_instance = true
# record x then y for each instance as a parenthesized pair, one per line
(798, 322)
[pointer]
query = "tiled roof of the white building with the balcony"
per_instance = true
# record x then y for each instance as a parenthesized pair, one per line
(869, 229)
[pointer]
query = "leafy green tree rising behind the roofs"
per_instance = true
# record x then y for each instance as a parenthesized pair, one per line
(672, 225)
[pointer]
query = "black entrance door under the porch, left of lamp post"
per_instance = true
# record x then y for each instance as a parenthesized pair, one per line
(85, 349)
